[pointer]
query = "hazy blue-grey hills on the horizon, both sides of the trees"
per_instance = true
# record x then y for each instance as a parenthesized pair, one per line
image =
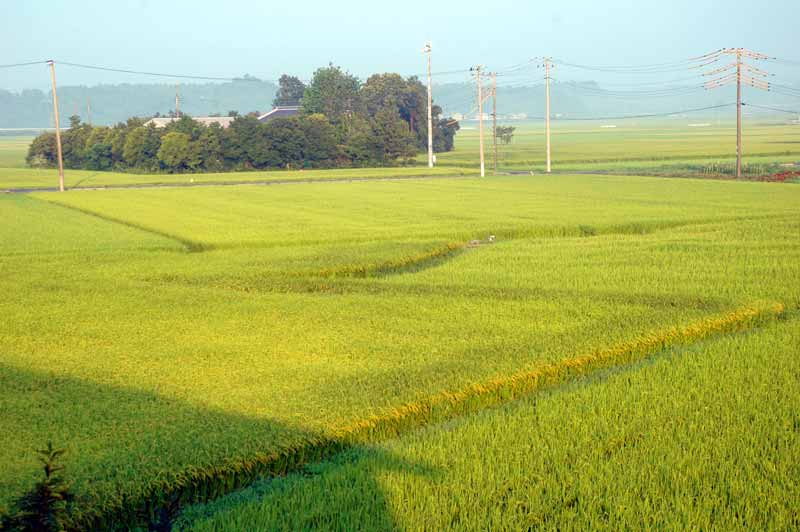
(116, 103)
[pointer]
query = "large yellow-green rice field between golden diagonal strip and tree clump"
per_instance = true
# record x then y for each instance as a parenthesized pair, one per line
(159, 332)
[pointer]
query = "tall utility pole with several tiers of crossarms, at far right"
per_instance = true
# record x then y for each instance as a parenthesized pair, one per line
(740, 73)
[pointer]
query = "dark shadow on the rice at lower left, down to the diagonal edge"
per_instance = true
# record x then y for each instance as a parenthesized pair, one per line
(133, 459)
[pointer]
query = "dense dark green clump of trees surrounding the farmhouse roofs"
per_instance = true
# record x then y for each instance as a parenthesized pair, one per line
(342, 123)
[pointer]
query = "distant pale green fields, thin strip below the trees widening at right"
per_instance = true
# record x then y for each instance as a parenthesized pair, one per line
(671, 147)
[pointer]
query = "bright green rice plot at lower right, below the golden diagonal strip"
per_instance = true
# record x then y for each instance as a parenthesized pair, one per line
(704, 437)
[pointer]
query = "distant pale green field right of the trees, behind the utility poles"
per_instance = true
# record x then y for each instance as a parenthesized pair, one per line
(632, 145)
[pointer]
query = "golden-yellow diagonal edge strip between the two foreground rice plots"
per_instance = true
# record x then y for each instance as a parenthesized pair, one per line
(202, 484)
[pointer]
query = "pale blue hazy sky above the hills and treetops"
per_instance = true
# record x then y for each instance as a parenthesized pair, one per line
(266, 38)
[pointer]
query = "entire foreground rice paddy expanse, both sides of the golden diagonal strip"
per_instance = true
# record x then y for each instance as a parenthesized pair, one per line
(562, 351)
